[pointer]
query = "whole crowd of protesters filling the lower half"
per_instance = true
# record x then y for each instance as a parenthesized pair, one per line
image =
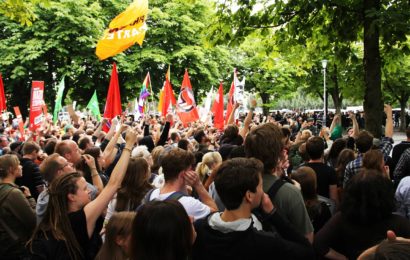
(279, 186)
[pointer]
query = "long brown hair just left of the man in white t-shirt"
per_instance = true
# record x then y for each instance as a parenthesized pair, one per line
(134, 185)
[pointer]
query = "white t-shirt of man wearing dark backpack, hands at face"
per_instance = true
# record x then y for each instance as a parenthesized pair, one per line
(193, 207)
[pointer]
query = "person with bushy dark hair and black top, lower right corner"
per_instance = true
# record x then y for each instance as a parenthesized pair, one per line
(364, 218)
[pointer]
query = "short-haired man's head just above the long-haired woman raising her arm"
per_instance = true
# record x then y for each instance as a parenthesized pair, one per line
(53, 166)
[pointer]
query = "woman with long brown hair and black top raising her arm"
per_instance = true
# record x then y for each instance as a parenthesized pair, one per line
(70, 228)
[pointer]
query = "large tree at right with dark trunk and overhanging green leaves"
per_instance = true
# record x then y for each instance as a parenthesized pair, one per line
(347, 20)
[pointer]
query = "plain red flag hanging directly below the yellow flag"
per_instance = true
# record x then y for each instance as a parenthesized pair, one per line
(113, 103)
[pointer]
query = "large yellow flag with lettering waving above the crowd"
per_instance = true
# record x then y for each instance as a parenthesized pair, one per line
(125, 30)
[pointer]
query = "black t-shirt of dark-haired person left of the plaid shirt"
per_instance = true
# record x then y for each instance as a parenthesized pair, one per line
(325, 176)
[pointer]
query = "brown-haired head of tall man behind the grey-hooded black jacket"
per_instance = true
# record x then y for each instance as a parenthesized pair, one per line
(265, 143)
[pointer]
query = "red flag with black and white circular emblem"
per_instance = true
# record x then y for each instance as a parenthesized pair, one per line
(186, 108)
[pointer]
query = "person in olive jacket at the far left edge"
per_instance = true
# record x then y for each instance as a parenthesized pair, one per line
(17, 216)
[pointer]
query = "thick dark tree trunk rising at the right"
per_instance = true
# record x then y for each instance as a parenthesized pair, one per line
(373, 104)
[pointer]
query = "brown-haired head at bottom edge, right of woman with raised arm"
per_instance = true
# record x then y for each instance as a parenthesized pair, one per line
(117, 236)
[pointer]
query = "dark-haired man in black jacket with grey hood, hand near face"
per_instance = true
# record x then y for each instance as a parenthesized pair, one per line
(236, 233)
